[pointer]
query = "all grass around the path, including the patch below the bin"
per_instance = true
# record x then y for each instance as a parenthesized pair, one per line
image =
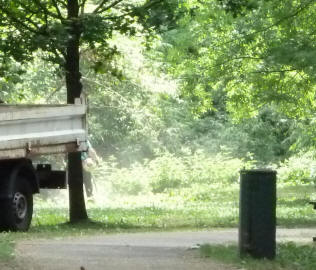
(192, 209)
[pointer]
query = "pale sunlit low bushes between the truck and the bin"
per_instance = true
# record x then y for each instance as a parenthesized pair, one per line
(169, 172)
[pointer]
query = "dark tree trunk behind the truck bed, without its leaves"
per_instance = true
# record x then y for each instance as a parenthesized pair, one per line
(77, 208)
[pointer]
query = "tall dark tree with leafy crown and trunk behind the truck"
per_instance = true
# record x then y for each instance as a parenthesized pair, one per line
(60, 28)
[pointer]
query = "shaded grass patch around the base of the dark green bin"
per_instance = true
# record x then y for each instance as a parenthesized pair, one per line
(290, 256)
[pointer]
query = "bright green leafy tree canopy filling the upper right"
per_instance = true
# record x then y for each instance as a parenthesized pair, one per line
(252, 52)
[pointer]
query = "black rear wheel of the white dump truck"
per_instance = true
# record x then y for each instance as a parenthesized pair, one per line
(18, 211)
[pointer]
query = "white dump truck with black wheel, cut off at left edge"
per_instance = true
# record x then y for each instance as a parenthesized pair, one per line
(27, 131)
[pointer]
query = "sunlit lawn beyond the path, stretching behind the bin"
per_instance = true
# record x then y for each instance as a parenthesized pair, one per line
(210, 207)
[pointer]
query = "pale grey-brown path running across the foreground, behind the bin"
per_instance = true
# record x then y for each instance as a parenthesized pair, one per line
(141, 251)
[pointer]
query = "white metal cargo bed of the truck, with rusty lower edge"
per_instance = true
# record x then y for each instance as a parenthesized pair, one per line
(28, 130)
